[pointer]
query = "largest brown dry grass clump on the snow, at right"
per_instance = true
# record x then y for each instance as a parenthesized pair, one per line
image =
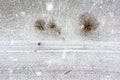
(89, 22)
